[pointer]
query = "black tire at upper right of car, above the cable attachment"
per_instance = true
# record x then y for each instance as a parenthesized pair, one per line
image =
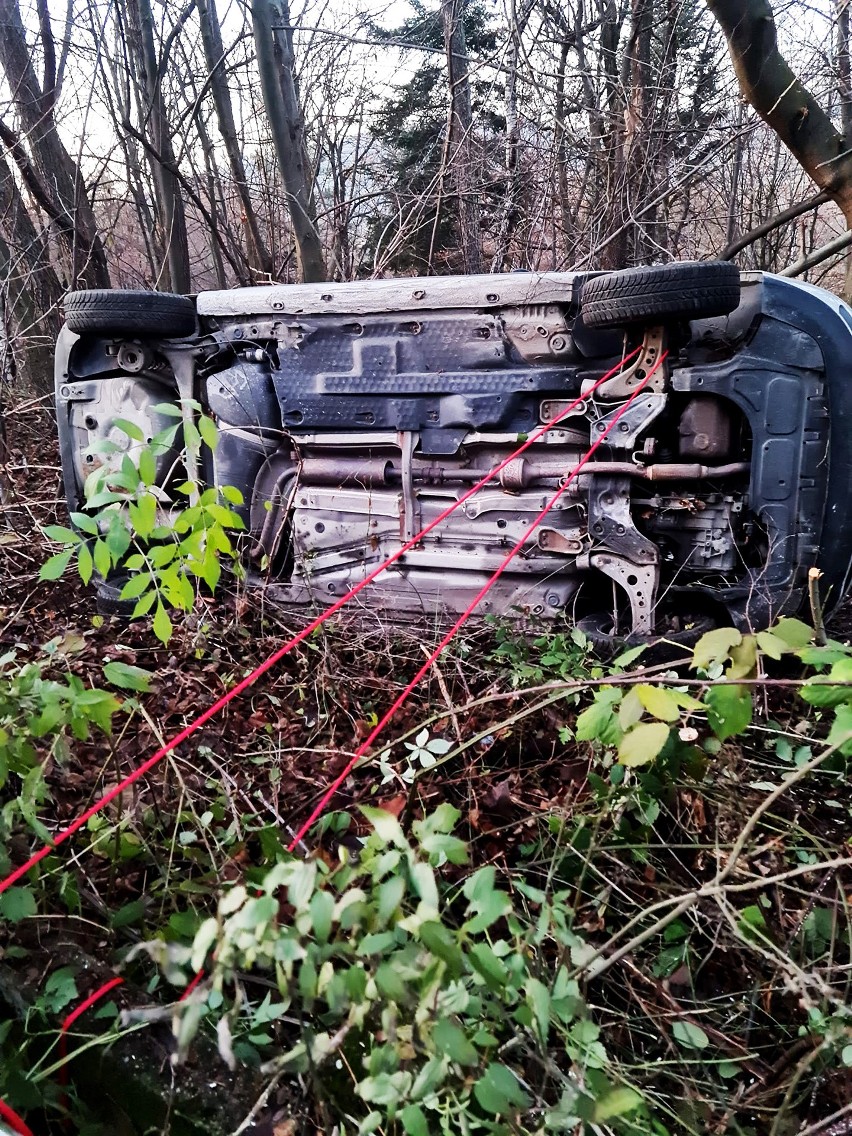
(663, 294)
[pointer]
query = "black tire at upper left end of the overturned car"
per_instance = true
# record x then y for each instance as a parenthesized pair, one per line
(130, 313)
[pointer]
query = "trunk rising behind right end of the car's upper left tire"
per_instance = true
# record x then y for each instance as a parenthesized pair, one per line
(162, 157)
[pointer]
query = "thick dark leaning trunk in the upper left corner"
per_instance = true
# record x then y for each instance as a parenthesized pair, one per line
(52, 164)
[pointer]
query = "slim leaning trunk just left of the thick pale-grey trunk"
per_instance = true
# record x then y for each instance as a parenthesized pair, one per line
(215, 59)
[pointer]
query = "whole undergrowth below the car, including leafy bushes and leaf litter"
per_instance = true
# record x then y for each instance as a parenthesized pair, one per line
(566, 897)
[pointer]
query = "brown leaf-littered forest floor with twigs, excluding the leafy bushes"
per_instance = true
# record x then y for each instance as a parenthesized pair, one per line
(731, 1020)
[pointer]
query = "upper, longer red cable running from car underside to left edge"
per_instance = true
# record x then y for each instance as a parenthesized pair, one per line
(221, 704)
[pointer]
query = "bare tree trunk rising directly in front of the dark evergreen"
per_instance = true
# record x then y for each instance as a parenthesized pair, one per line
(461, 135)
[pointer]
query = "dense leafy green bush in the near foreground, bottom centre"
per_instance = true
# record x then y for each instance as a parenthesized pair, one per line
(430, 1000)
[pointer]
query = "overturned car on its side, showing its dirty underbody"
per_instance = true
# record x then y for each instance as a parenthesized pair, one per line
(352, 416)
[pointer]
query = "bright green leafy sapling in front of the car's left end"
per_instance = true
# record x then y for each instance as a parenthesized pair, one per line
(168, 532)
